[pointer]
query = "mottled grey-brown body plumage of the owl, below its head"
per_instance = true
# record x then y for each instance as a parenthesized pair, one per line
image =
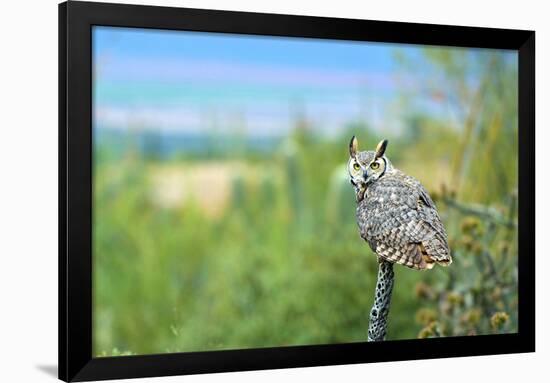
(400, 222)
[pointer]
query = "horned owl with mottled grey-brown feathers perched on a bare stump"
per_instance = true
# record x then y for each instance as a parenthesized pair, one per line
(395, 214)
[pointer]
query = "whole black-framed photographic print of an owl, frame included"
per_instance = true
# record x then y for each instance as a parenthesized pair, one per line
(246, 191)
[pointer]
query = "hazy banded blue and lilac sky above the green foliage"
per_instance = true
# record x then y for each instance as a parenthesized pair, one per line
(193, 81)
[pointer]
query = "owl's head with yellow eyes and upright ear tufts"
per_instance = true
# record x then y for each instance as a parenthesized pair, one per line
(367, 167)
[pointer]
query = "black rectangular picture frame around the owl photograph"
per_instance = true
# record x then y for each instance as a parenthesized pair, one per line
(75, 190)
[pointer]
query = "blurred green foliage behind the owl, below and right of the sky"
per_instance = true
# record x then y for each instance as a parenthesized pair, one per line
(271, 256)
